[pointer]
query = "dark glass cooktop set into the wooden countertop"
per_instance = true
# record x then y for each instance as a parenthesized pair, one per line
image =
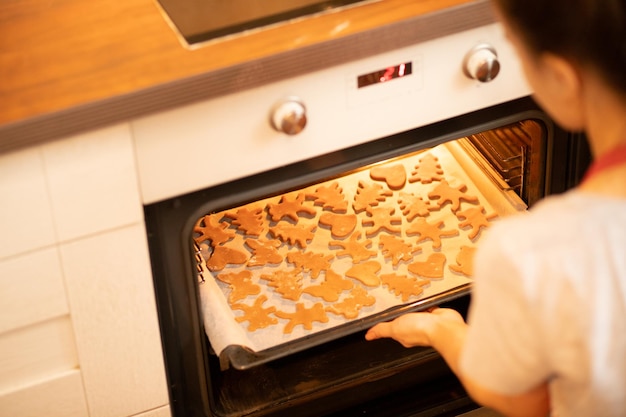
(202, 20)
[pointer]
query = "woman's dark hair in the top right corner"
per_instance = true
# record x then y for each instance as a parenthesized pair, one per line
(589, 32)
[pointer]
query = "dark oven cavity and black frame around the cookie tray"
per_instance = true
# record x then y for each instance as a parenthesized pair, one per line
(334, 371)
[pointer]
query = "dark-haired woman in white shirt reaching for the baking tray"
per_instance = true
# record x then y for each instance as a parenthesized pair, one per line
(546, 330)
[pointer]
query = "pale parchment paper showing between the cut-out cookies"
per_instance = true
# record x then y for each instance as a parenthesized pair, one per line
(220, 321)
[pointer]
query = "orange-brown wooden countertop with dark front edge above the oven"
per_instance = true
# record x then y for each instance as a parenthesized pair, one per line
(68, 66)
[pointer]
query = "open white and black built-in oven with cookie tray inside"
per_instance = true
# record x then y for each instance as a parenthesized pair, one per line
(441, 134)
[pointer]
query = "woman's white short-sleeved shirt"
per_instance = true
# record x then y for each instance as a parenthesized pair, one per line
(549, 303)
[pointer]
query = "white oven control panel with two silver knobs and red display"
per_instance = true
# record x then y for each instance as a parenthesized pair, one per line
(255, 130)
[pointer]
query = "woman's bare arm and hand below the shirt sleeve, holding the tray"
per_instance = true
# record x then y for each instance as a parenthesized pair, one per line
(444, 329)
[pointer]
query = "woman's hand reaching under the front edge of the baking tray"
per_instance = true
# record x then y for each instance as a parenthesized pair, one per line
(417, 329)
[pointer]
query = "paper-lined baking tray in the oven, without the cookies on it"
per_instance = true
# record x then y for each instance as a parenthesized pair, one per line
(243, 349)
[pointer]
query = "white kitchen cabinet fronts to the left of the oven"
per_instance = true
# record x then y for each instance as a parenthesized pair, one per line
(79, 332)
